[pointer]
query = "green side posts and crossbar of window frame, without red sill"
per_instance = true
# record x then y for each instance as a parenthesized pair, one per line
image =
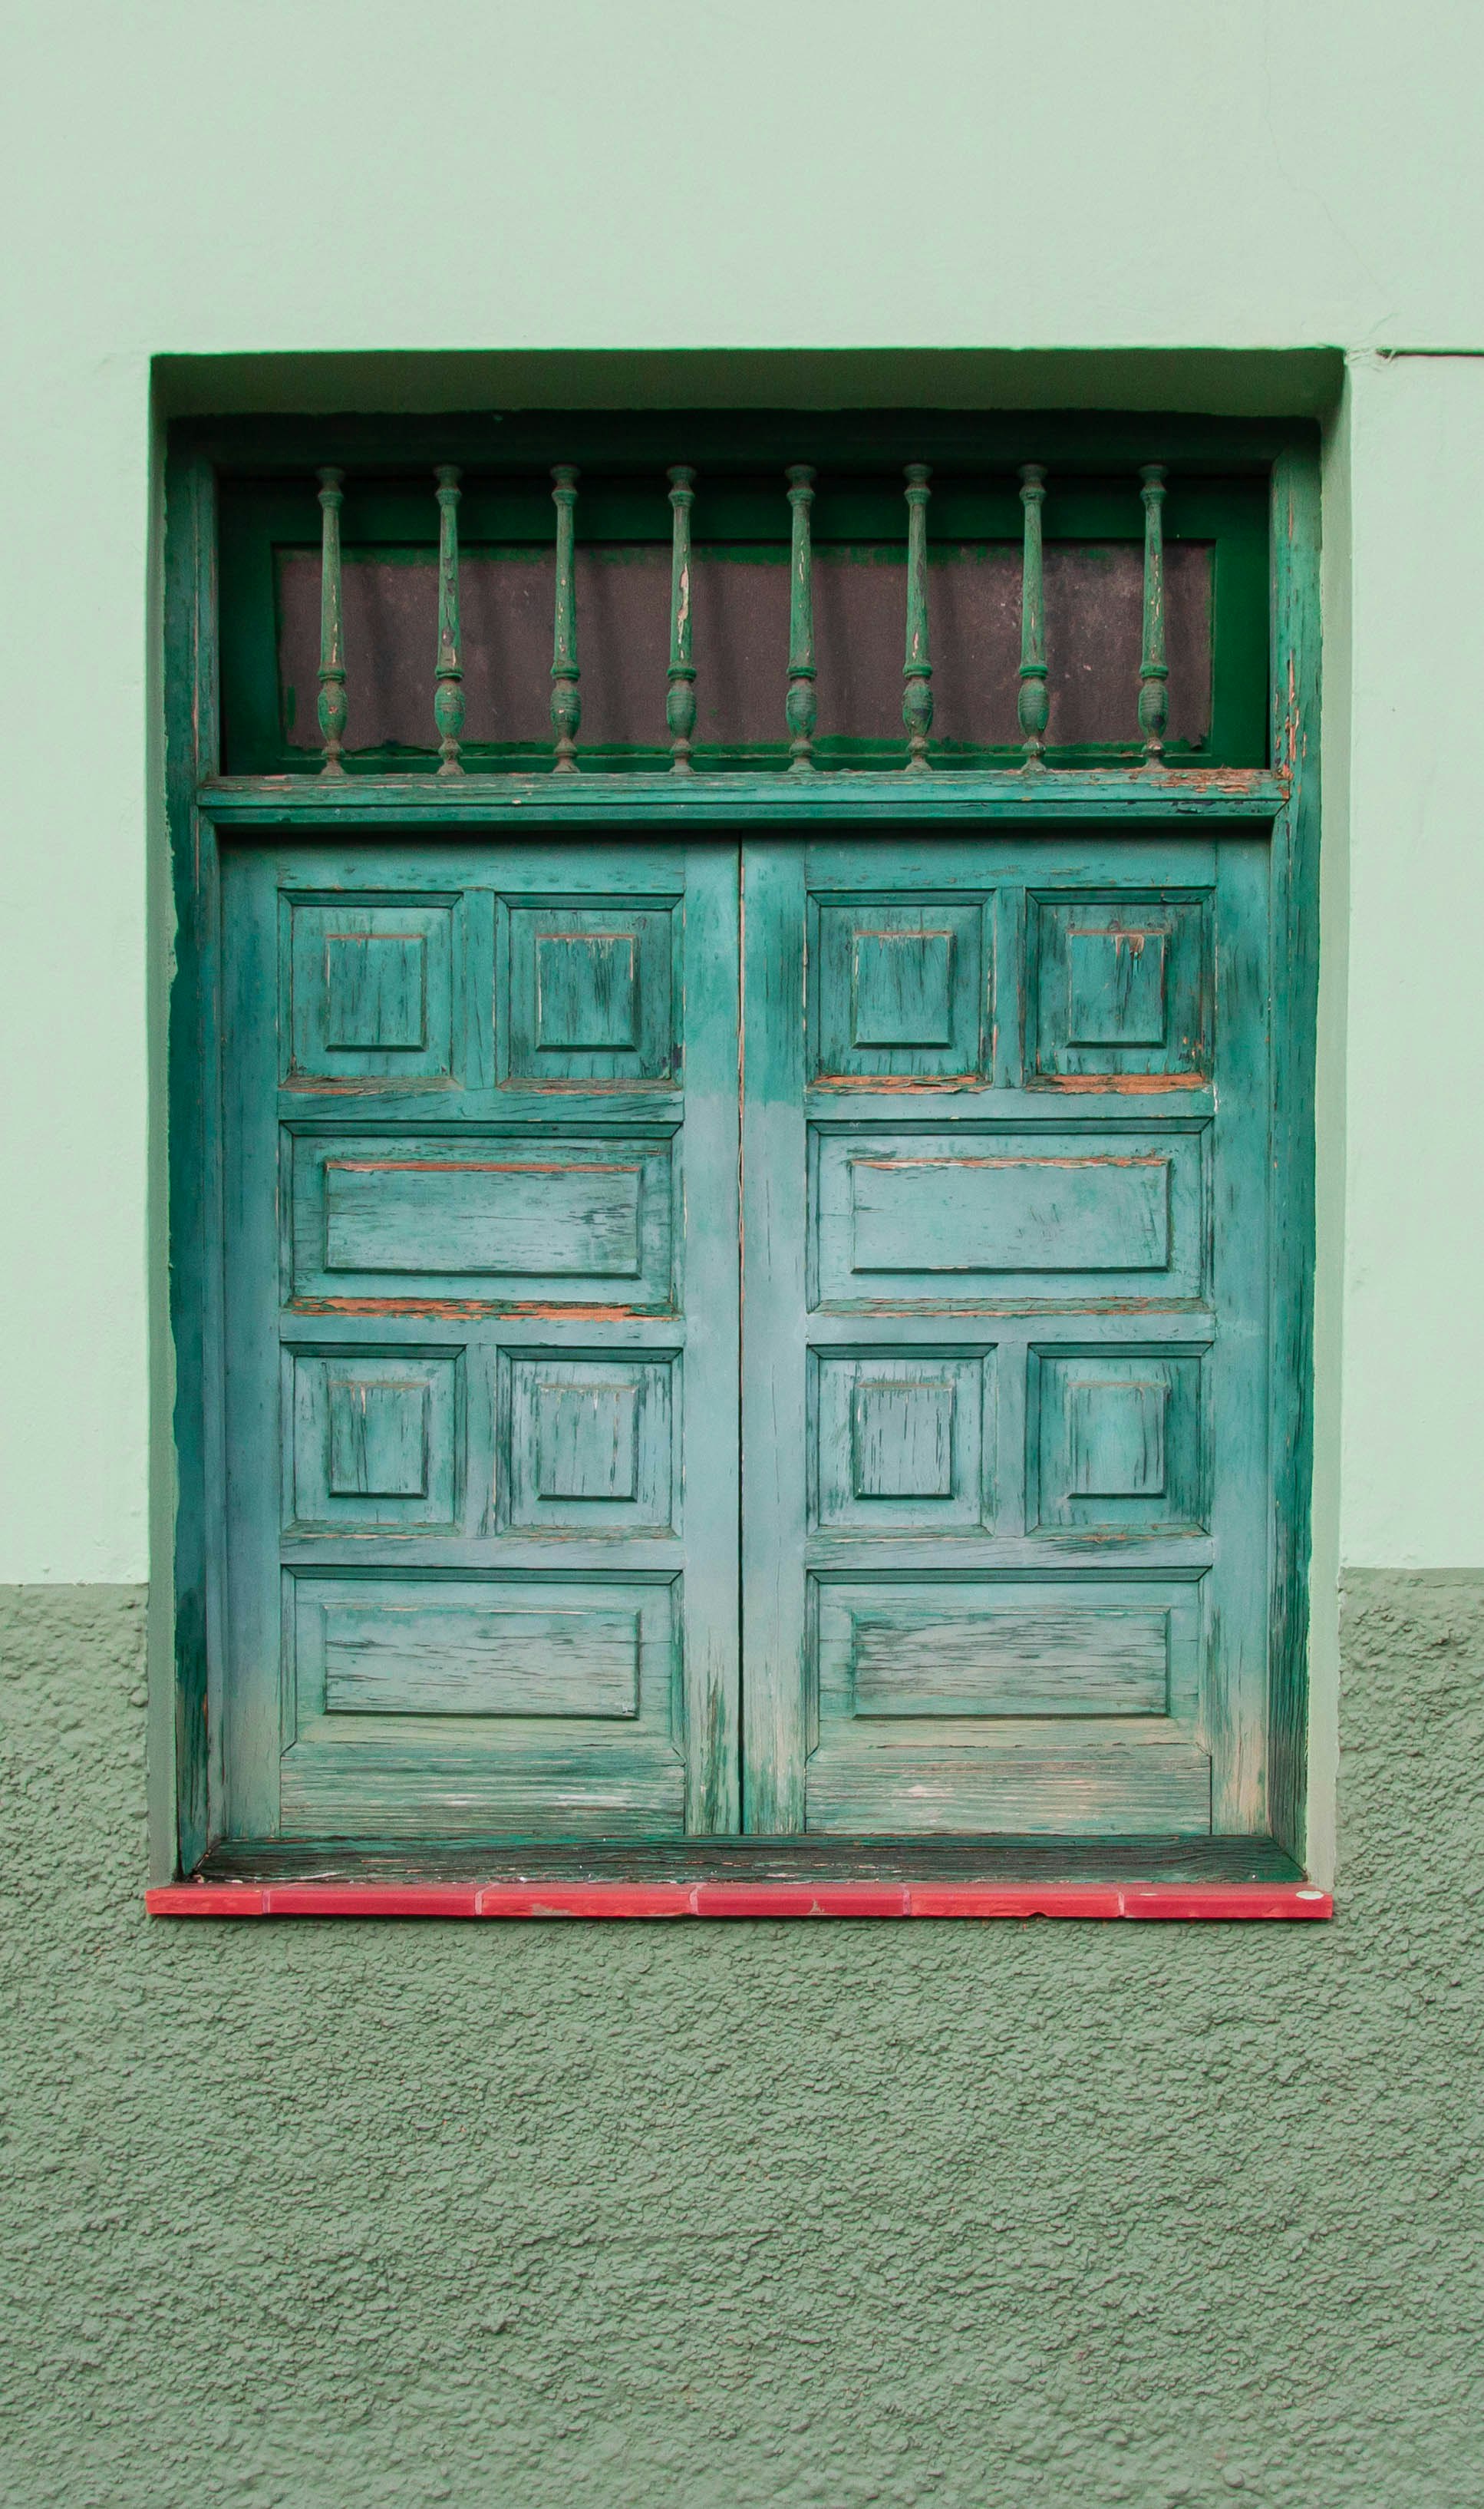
(202, 809)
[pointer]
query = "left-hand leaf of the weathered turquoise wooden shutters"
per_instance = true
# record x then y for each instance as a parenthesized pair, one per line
(483, 1341)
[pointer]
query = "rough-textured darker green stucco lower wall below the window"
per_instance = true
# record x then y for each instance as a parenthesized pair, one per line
(743, 2217)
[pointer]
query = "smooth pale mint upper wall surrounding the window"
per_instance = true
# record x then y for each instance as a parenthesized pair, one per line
(249, 177)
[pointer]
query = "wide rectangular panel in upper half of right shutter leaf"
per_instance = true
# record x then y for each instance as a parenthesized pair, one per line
(949, 1218)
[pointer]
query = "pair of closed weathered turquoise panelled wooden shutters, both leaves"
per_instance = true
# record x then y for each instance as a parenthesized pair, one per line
(746, 1336)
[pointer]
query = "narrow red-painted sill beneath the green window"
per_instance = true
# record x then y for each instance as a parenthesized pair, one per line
(1172, 1901)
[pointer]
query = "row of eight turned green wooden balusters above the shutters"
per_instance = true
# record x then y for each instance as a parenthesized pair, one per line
(681, 699)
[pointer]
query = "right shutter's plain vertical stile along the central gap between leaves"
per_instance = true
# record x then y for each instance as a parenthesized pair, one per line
(773, 1339)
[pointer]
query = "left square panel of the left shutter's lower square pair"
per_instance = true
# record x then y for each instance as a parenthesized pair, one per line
(375, 1439)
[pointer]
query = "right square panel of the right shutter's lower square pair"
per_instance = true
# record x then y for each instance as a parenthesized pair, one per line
(1117, 1439)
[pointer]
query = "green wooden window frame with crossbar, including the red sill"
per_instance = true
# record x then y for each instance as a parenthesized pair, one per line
(1189, 1878)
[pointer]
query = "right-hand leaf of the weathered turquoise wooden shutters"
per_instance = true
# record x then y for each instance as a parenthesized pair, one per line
(1006, 1494)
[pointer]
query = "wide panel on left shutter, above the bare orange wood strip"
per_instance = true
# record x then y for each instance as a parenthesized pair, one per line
(513, 1218)
